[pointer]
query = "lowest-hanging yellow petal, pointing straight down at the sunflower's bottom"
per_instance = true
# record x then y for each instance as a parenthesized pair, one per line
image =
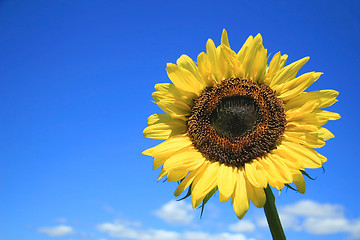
(240, 199)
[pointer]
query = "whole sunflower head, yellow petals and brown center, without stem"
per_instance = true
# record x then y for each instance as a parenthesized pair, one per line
(234, 124)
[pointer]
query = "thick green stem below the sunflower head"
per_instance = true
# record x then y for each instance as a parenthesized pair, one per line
(272, 216)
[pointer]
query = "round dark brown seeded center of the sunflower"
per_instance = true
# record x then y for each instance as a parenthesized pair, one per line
(236, 121)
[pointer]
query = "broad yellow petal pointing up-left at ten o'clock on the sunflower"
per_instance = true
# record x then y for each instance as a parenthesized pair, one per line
(183, 79)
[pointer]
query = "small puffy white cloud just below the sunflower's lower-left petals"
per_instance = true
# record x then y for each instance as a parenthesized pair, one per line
(176, 212)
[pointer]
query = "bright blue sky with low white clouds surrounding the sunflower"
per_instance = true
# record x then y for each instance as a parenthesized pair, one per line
(76, 79)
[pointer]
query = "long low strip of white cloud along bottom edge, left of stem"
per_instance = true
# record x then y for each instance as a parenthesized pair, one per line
(124, 231)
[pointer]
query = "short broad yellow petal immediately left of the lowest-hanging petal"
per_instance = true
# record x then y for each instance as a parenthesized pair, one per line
(226, 182)
